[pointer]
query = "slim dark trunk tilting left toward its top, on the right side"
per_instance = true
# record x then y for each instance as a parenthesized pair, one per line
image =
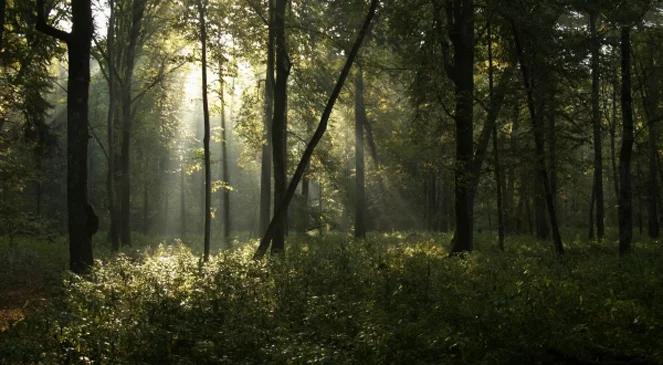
(539, 142)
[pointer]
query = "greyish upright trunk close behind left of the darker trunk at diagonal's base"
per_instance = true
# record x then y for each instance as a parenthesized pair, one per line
(266, 161)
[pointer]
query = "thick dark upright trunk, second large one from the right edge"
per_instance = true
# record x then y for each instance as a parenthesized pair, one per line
(625, 193)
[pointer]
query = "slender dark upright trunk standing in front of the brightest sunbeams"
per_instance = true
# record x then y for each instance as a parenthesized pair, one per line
(206, 136)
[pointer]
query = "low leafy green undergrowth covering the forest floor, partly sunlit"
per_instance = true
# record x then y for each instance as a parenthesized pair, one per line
(396, 298)
